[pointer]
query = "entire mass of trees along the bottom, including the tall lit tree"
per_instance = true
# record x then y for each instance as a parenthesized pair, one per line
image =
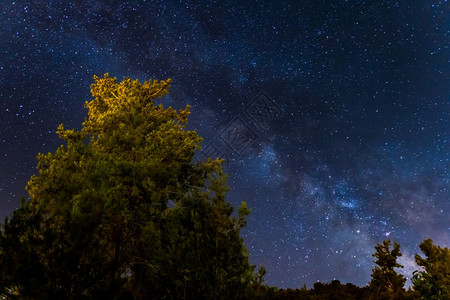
(122, 211)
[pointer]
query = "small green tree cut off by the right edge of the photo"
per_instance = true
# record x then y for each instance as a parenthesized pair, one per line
(434, 281)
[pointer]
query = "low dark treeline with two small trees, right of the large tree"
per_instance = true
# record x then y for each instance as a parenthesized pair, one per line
(433, 282)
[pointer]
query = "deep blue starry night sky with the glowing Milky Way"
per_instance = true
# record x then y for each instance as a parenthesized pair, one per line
(349, 144)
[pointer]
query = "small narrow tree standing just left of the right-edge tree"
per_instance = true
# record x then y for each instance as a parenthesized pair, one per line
(386, 283)
